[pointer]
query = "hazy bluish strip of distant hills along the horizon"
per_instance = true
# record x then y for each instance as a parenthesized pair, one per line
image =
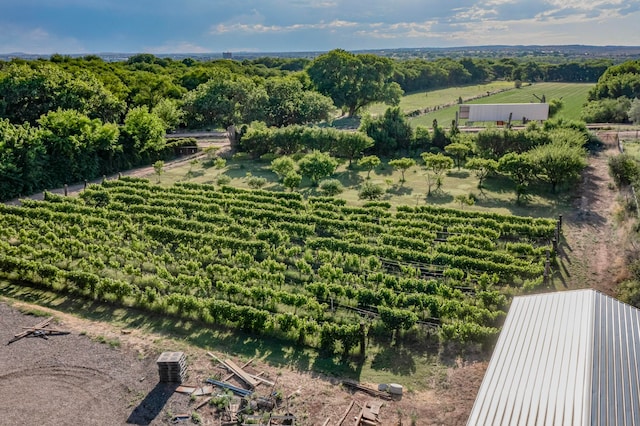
(549, 53)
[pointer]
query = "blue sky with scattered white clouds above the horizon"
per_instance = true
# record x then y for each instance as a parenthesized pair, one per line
(200, 26)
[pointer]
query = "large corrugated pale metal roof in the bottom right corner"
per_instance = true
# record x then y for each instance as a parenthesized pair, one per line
(568, 358)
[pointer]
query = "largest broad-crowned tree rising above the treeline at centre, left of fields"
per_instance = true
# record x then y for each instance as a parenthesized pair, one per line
(355, 81)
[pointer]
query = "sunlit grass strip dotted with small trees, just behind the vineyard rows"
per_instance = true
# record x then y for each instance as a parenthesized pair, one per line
(497, 195)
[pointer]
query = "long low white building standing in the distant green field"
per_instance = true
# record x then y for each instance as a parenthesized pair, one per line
(503, 112)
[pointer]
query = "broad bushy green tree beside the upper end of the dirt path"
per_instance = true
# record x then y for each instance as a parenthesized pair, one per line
(559, 162)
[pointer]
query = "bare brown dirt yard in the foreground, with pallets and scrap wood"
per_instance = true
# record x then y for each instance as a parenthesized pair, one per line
(75, 379)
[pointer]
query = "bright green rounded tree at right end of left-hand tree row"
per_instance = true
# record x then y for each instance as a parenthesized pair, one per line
(145, 129)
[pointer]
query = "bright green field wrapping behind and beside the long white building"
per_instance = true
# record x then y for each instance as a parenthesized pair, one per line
(574, 95)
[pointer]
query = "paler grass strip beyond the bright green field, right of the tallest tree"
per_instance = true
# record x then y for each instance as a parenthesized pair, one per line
(422, 100)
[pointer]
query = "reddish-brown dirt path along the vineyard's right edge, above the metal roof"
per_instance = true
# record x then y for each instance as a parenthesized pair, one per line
(592, 254)
